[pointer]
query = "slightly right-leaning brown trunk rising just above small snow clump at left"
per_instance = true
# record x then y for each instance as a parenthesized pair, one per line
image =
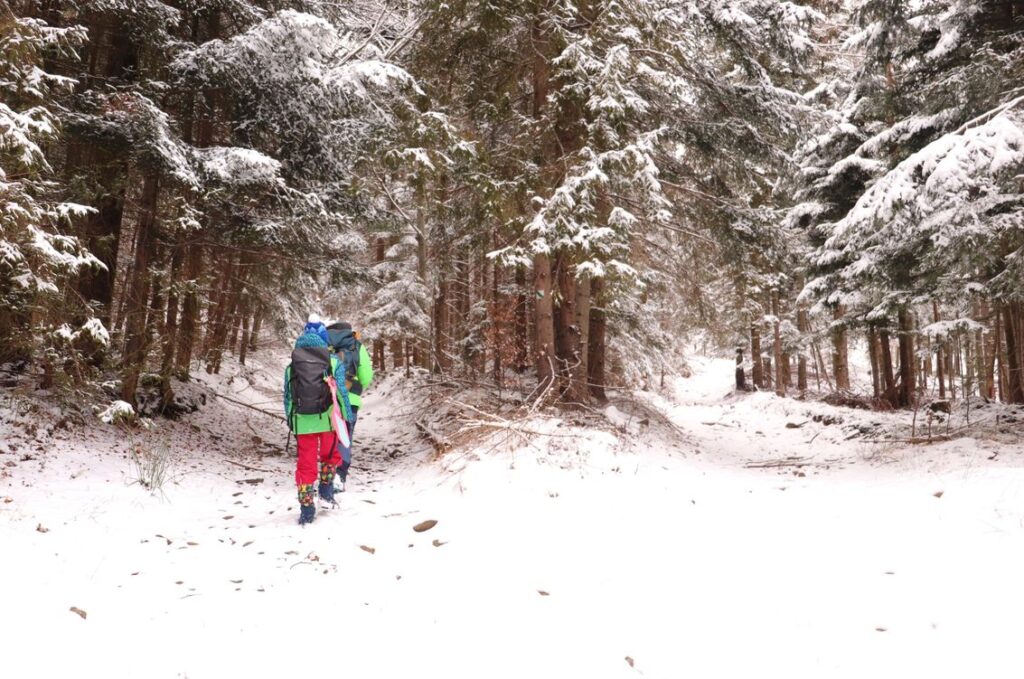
(137, 292)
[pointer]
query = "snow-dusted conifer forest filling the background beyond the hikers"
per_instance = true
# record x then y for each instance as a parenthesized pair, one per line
(566, 191)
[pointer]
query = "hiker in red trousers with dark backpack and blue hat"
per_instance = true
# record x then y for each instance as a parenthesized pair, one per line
(310, 408)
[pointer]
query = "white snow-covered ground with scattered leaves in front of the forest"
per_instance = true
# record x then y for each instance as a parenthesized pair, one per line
(639, 550)
